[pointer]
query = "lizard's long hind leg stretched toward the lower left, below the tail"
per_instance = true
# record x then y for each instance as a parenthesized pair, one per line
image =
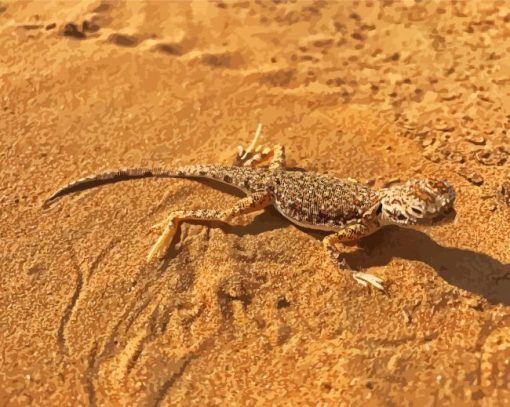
(170, 226)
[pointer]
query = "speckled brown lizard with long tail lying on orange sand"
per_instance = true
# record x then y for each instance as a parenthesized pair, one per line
(346, 208)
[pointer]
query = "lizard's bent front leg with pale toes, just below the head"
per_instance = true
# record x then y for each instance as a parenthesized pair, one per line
(348, 234)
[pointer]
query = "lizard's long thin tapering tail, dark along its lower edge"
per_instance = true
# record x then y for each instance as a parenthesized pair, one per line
(108, 177)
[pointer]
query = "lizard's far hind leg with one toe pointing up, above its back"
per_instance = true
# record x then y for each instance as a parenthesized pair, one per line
(258, 155)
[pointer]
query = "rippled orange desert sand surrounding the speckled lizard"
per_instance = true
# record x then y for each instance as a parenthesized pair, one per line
(254, 313)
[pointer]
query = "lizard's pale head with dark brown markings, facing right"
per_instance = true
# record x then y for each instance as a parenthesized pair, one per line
(417, 202)
